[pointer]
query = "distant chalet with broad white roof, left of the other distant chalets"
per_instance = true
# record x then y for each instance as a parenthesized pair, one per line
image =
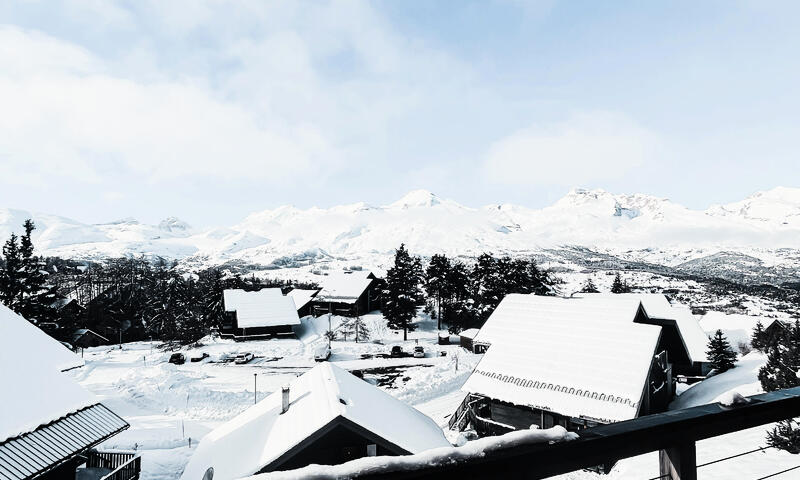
(262, 314)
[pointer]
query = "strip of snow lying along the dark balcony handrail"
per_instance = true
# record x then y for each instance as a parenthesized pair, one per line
(434, 457)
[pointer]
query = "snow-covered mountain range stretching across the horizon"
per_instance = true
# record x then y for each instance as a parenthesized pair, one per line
(427, 224)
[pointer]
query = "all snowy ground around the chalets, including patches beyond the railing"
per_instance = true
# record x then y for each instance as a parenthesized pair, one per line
(170, 408)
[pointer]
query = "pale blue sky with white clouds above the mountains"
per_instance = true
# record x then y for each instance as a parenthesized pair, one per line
(211, 110)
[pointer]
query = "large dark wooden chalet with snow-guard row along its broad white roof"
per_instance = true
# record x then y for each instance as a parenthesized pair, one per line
(574, 362)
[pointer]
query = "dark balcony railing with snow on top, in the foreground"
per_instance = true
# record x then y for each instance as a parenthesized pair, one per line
(672, 434)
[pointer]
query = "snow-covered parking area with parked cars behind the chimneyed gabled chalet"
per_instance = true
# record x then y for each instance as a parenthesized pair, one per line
(171, 407)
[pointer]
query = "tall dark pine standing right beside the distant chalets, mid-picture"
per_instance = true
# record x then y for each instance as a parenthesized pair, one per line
(402, 293)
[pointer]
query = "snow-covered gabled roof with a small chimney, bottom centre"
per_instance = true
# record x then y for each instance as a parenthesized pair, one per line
(261, 434)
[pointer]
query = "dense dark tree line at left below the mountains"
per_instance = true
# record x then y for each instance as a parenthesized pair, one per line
(124, 299)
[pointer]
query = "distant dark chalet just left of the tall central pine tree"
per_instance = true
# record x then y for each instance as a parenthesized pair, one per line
(348, 294)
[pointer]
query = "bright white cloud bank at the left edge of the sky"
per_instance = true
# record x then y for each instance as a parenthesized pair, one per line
(63, 115)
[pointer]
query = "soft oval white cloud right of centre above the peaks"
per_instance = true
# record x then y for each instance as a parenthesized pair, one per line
(587, 147)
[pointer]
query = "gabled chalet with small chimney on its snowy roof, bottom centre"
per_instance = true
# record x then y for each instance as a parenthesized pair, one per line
(326, 416)
